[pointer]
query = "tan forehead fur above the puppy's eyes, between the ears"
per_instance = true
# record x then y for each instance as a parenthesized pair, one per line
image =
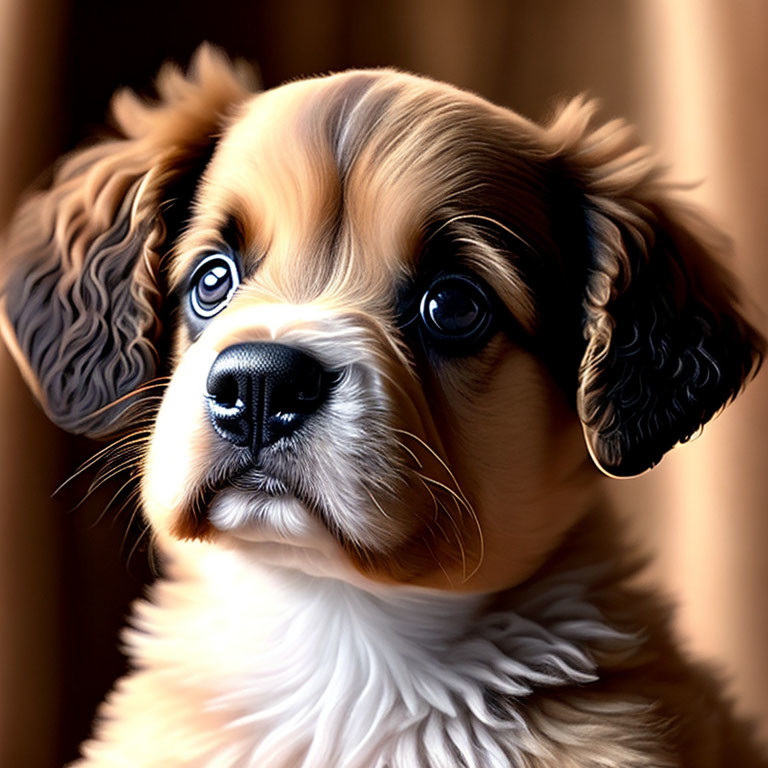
(341, 177)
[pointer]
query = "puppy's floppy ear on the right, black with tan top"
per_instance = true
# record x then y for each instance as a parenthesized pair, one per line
(666, 345)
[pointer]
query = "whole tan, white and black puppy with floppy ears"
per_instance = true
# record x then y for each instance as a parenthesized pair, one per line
(391, 329)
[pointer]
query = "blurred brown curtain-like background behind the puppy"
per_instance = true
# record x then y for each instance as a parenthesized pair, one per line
(692, 74)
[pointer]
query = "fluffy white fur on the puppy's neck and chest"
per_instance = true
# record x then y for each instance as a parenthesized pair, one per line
(315, 672)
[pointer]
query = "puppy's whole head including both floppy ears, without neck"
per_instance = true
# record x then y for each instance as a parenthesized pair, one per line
(391, 312)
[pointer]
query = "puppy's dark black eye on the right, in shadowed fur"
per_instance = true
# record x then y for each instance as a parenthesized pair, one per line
(457, 313)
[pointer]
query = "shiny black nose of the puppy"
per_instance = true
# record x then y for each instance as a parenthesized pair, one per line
(260, 392)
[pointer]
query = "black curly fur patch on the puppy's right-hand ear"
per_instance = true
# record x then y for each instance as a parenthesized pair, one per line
(679, 351)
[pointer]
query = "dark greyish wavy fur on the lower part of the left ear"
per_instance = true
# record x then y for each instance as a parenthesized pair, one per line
(85, 335)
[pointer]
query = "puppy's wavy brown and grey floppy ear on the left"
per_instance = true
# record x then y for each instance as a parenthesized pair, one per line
(82, 291)
